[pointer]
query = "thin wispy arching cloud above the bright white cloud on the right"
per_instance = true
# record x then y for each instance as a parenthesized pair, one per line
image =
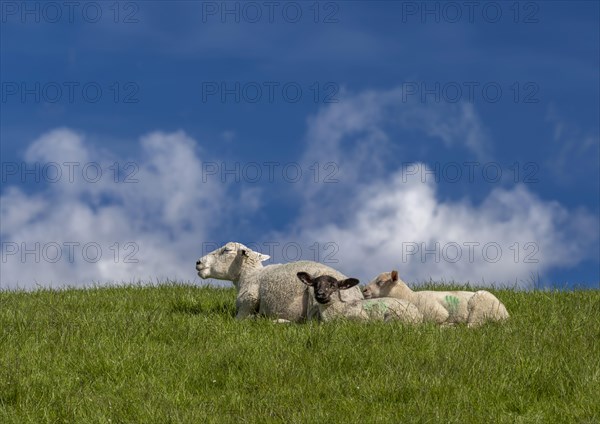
(354, 134)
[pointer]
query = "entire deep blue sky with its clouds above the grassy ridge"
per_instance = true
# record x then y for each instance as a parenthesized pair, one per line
(388, 90)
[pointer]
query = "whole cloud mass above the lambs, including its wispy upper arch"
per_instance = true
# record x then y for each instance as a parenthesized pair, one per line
(380, 217)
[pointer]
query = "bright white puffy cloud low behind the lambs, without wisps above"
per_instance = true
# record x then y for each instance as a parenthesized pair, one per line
(394, 223)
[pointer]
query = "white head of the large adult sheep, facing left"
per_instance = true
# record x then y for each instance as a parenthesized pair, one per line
(226, 262)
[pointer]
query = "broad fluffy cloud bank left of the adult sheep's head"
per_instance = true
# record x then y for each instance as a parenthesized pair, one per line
(102, 219)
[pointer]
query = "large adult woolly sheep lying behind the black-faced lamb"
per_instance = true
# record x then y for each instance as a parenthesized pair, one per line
(272, 290)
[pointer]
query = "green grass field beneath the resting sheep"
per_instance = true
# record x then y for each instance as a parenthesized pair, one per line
(174, 353)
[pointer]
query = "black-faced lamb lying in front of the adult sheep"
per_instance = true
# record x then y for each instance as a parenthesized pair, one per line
(327, 293)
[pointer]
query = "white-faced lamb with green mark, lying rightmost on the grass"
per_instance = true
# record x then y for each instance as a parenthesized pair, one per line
(442, 307)
